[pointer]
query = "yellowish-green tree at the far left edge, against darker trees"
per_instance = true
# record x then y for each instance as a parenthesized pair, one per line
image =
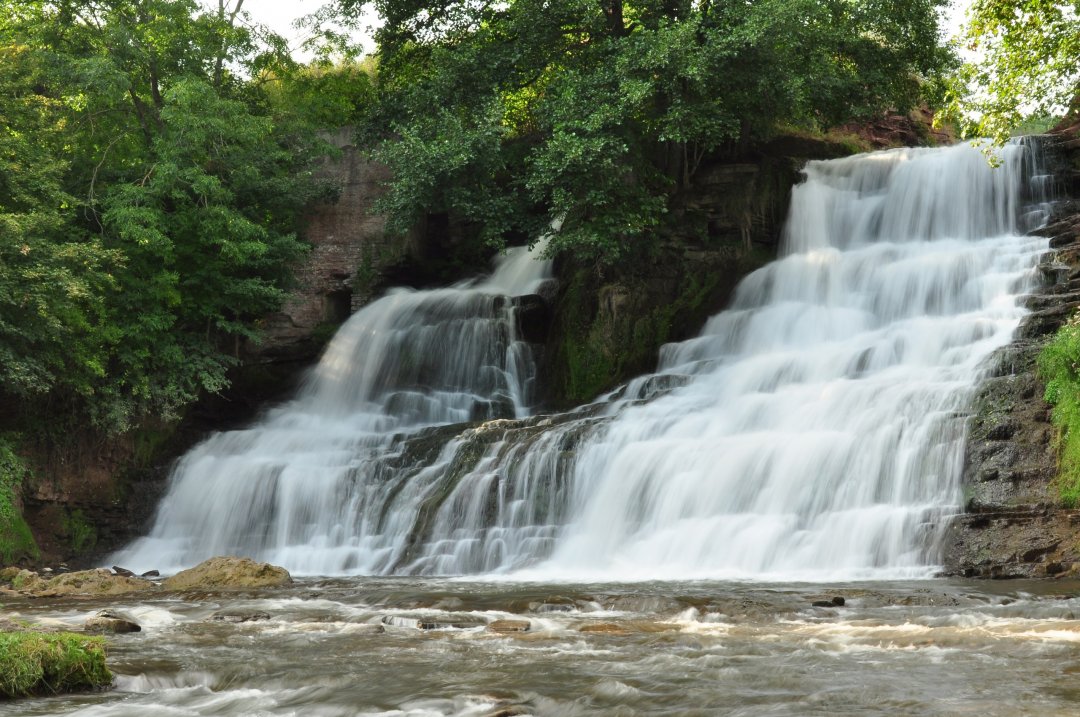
(52, 278)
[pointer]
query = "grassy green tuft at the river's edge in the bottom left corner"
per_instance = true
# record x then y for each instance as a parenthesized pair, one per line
(50, 664)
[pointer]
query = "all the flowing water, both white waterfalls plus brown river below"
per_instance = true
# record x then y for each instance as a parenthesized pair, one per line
(658, 552)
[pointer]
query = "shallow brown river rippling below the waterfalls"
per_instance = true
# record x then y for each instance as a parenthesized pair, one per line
(414, 647)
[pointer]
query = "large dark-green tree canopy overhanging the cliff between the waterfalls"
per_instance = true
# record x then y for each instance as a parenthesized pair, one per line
(519, 114)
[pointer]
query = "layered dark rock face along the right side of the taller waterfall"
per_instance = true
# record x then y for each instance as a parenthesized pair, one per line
(1014, 525)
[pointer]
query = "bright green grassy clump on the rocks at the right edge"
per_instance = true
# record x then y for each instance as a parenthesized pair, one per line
(1060, 368)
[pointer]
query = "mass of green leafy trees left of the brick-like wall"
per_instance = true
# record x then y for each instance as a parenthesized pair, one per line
(151, 193)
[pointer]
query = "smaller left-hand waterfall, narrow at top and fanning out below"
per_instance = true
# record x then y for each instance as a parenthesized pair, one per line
(301, 486)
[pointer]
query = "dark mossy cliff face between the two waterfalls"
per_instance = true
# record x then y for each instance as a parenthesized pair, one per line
(610, 323)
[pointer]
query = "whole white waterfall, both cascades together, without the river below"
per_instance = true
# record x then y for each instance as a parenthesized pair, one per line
(815, 430)
